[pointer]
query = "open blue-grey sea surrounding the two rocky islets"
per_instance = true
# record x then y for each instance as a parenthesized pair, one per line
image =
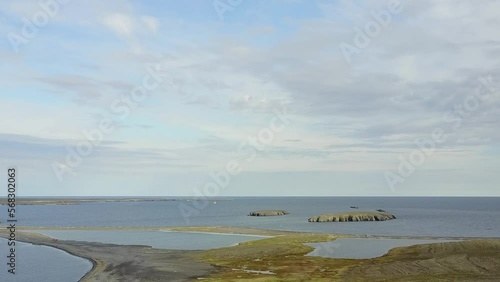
(432, 216)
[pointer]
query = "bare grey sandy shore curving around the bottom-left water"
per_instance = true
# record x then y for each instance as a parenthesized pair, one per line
(127, 263)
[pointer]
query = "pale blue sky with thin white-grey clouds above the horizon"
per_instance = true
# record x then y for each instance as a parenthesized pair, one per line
(251, 98)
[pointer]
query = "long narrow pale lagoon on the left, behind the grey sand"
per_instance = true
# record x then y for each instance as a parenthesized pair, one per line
(155, 239)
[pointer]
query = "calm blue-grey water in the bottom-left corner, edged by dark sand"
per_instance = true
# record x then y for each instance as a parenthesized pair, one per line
(41, 263)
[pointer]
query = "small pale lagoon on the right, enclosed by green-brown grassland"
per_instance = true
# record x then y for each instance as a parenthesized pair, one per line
(363, 248)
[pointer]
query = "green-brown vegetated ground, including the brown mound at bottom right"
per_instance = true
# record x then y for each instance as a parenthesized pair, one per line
(284, 256)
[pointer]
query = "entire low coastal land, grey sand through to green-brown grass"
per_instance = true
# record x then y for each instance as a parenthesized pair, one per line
(282, 253)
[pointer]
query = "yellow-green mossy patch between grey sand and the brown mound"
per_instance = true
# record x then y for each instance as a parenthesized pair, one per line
(283, 255)
